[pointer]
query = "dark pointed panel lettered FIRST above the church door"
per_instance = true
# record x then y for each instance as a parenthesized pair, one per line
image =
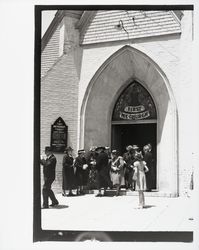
(135, 103)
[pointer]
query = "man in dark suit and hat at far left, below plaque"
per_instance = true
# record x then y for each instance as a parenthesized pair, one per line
(49, 164)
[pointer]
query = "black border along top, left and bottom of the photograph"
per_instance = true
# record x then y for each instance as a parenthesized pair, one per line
(68, 235)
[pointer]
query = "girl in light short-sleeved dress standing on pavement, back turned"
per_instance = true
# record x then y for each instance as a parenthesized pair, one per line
(140, 168)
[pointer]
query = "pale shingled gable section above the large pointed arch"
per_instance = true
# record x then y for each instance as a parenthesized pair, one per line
(102, 26)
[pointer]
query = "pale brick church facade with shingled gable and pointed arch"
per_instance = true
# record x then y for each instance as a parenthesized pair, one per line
(117, 77)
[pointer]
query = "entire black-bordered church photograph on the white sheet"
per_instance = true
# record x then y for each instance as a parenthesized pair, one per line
(113, 159)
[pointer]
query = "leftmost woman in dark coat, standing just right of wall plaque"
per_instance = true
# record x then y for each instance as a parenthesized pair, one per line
(68, 172)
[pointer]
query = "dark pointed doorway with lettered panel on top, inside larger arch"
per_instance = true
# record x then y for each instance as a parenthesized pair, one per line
(134, 121)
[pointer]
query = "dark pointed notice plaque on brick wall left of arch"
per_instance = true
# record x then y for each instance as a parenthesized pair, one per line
(59, 134)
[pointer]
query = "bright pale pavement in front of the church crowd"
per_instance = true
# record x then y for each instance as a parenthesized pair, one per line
(120, 213)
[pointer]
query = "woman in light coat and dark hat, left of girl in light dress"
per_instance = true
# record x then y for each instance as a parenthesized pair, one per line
(117, 170)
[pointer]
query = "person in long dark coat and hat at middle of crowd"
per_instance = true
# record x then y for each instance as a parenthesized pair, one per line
(103, 177)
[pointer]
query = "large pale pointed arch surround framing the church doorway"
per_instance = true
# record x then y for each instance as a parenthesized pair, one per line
(124, 67)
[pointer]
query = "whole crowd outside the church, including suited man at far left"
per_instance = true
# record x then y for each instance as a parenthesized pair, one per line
(99, 168)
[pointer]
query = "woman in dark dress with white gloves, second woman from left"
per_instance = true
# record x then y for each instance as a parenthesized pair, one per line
(81, 171)
